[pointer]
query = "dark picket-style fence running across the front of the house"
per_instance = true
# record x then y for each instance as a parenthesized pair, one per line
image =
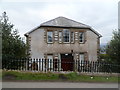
(44, 65)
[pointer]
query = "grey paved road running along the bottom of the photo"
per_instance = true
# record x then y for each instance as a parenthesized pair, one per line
(57, 85)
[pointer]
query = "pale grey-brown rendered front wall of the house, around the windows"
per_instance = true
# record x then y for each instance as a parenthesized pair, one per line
(39, 46)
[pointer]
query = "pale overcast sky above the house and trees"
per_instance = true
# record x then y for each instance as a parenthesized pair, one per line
(102, 15)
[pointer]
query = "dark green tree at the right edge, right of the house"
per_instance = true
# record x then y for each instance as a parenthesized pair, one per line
(113, 48)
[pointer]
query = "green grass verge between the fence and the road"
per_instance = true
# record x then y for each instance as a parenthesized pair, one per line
(71, 77)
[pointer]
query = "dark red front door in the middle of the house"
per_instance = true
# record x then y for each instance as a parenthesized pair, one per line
(67, 62)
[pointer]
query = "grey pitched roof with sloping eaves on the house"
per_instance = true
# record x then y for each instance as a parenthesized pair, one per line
(64, 22)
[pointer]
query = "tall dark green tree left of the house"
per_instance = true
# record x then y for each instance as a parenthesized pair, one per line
(13, 45)
